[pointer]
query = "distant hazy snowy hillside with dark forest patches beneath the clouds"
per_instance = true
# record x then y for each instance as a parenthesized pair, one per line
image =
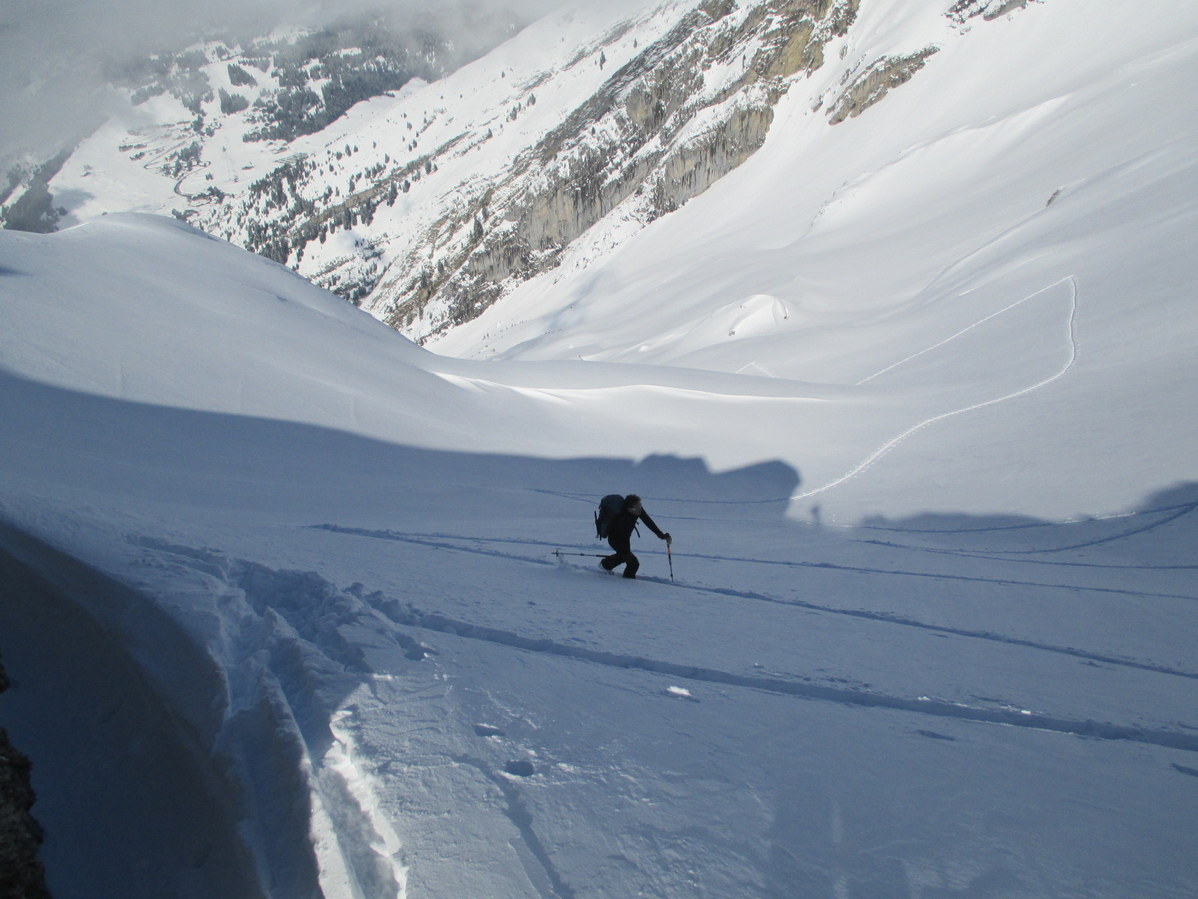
(177, 108)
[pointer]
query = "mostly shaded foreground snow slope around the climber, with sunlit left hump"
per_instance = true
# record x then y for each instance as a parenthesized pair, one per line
(373, 639)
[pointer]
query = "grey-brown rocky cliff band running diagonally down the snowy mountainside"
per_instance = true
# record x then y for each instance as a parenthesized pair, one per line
(682, 114)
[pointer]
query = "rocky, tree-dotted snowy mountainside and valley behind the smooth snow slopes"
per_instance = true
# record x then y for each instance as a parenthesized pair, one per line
(428, 206)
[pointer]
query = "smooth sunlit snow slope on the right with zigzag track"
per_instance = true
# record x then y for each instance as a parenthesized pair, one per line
(1019, 203)
